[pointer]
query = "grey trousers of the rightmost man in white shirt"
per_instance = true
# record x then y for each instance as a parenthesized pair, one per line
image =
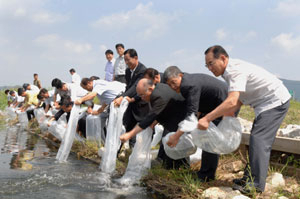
(262, 137)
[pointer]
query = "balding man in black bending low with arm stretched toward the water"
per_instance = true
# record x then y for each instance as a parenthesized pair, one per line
(166, 108)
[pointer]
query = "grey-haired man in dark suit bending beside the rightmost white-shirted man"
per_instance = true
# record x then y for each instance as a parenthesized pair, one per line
(203, 94)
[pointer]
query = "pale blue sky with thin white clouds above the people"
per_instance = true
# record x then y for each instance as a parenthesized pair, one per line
(49, 37)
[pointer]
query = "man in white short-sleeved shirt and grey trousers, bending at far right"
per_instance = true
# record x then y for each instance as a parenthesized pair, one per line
(251, 85)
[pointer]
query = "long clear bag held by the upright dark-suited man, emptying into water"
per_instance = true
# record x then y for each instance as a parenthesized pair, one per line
(112, 140)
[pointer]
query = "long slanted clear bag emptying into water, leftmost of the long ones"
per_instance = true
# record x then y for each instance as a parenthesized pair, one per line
(66, 144)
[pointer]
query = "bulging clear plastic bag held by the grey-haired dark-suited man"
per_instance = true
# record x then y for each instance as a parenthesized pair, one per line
(184, 148)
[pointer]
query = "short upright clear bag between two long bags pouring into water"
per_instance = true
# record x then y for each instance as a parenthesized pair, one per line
(93, 128)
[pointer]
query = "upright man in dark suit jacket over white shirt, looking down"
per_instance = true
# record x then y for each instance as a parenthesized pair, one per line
(137, 109)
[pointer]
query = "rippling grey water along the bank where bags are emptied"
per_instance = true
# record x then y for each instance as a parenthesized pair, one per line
(28, 169)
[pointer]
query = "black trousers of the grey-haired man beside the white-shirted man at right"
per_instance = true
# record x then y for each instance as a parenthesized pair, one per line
(209, 161)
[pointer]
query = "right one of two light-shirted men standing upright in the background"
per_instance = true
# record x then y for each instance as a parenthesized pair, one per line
(120, 65)
